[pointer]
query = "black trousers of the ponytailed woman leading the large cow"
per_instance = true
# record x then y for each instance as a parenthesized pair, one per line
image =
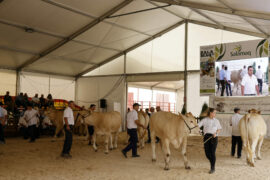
(210, 149)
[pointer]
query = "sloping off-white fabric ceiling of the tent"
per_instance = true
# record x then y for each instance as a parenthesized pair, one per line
(53, 21)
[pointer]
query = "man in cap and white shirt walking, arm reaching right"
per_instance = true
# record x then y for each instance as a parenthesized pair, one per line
(132, 123)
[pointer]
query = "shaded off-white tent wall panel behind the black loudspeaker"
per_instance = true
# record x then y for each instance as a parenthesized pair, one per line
(91, 89)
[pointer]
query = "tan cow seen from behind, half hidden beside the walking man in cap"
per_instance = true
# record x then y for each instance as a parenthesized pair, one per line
(144, 120)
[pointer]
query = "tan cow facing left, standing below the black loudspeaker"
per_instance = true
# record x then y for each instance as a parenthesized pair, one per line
(106, 123)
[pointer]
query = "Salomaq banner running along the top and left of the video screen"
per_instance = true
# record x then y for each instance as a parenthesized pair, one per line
(227, 52)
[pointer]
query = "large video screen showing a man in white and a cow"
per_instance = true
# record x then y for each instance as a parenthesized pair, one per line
(247, 77)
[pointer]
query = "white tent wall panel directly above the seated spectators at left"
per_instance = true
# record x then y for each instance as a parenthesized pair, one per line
(59, 87)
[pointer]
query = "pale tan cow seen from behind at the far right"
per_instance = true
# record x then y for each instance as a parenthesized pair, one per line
(253, 129)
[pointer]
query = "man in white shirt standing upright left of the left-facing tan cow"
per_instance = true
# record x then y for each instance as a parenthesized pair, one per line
(68, 126)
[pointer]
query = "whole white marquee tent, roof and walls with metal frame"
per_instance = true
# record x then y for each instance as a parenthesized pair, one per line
(89, 49)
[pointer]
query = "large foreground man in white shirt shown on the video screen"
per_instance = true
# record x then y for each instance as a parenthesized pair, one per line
(249, 84)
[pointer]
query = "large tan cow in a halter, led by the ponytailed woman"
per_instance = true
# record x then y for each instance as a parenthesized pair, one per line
(174, 129)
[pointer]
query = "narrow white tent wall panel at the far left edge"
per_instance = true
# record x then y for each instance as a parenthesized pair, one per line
(7, 82)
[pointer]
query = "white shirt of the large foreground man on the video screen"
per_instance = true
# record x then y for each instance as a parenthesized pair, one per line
(249, 84)
